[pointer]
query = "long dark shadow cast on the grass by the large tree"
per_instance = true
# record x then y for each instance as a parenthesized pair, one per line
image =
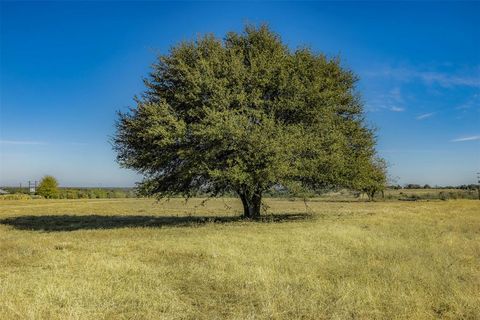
(55, 223)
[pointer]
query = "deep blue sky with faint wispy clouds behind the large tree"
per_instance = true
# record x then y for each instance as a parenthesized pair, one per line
(66, 68)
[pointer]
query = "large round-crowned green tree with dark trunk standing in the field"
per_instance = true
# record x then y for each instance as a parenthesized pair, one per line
(244, 114)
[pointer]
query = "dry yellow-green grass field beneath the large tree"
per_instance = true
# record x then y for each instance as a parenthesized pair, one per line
(138, 259)
